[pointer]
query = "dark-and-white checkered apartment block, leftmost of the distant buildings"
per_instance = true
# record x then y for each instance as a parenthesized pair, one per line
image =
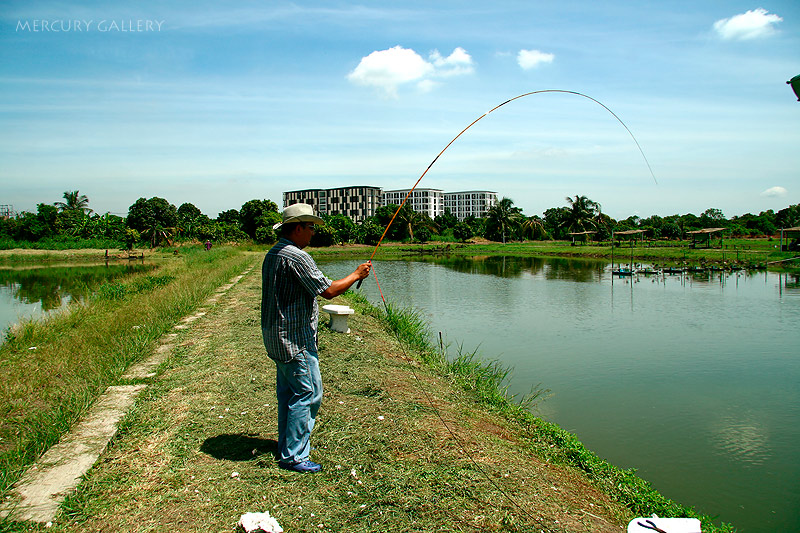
(356, 202)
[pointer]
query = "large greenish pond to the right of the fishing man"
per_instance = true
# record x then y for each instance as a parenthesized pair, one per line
(690, 379)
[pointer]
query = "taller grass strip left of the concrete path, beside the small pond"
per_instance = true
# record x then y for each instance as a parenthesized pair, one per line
(54, 368)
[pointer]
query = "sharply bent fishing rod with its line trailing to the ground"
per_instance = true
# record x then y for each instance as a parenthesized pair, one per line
(389, 312)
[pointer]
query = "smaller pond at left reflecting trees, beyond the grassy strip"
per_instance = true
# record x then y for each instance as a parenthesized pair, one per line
(30, 292)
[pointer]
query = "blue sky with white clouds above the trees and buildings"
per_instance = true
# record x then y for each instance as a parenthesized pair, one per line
(217, 103)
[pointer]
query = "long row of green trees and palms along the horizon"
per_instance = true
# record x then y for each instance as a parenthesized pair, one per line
(155, 222)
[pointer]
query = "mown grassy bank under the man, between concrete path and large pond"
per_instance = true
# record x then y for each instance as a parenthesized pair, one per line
(409, 442)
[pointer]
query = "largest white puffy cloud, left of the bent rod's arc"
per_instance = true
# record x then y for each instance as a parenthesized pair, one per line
(387, 70)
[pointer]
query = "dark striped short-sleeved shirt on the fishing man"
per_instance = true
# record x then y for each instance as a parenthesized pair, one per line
(291, 282)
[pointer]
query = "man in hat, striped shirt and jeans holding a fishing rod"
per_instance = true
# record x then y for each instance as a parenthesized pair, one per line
(291, 281)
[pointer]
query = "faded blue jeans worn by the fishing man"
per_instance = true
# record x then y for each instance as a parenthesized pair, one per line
(299, 391)
